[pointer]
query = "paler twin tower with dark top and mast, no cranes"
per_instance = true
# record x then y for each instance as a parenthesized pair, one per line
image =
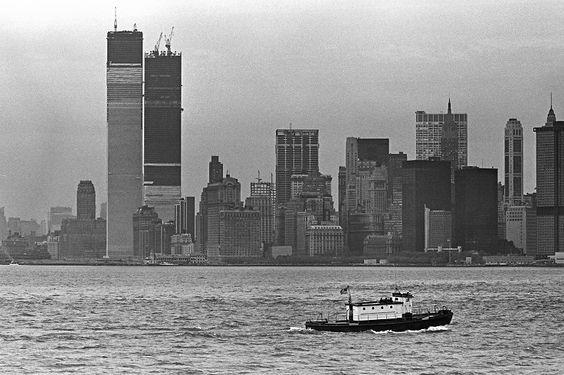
(124, 78)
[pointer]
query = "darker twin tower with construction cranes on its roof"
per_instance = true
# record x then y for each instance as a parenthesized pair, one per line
(162, 141)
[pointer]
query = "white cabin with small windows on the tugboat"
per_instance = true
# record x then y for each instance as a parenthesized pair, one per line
(386, 308)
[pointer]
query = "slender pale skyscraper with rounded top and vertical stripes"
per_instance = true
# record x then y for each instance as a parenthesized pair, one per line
(513, 152)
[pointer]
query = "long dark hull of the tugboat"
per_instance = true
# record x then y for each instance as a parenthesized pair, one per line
(413, 323)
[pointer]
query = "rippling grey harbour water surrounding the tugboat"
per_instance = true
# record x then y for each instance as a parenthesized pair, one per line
(247, 320)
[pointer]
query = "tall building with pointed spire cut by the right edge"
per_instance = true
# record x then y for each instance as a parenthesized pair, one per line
(550, 186)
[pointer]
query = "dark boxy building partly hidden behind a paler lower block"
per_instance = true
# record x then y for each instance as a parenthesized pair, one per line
(425, 183)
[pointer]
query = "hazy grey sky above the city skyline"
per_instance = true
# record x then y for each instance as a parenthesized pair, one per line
(348, 68)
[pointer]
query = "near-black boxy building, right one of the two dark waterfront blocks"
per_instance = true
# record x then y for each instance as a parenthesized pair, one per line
(475, 226)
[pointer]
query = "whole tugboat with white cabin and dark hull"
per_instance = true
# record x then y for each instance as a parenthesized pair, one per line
(387, 314)
